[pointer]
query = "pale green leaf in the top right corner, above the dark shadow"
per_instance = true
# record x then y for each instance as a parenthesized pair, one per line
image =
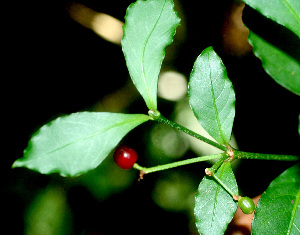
(284, 12)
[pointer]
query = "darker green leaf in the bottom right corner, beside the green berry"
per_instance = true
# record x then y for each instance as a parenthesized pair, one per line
(278, 210)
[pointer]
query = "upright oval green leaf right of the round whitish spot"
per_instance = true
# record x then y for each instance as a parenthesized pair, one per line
(211, 96)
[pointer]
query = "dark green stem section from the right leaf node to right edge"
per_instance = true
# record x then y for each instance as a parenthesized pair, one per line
(261, 156)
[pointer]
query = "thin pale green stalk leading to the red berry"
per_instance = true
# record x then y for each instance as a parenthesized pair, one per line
(175, 164)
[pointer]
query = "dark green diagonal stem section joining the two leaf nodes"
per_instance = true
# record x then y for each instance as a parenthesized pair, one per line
(158, 117)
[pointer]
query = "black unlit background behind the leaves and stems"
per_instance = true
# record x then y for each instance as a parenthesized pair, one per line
(55, 66)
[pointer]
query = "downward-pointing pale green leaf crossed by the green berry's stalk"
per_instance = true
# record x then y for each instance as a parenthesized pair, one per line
(214, 207)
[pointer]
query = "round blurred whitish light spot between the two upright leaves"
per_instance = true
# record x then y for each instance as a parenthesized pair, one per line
(172, 85)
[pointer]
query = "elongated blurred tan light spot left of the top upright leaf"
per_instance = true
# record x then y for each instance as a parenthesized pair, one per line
(106, 26)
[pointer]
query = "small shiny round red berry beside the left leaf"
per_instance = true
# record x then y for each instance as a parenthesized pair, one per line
(125, 157)
